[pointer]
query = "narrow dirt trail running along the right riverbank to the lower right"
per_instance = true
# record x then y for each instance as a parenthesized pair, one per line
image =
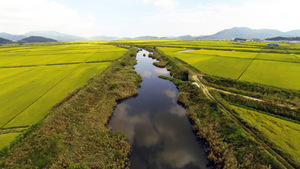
(281, 159)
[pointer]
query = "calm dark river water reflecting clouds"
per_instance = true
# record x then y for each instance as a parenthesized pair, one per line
(156, 126)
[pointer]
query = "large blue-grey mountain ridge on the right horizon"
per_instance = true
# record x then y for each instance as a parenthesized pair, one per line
(247, 33)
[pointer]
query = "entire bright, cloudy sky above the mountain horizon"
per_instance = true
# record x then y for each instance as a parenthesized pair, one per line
(132, 18)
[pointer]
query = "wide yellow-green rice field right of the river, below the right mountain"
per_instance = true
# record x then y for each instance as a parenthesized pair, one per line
(273, 67)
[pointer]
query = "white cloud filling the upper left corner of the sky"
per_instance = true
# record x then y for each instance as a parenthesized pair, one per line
(42, 15)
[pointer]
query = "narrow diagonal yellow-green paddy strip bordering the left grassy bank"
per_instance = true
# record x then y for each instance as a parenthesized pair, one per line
(66, 84)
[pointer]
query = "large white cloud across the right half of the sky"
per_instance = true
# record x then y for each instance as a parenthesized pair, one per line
(210, 18)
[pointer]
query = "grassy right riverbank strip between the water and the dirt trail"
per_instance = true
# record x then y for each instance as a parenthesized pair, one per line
(230, 145)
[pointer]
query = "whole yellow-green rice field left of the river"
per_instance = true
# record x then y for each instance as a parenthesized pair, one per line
(28, 92)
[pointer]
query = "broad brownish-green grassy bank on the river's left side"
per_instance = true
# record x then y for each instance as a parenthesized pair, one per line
(75, 132)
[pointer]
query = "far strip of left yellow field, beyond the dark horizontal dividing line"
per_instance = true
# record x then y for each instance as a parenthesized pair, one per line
(55, 54)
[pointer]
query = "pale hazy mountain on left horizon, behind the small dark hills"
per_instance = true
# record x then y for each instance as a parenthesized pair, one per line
(55, 35)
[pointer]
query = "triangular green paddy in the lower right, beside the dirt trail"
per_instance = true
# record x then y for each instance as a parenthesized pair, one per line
(284, 134)
